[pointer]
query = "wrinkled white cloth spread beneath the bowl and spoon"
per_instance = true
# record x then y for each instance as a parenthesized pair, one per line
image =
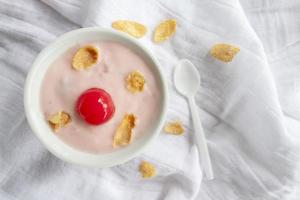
(250, 108)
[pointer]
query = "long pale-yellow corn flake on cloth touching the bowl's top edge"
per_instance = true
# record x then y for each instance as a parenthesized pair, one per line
(134, 29)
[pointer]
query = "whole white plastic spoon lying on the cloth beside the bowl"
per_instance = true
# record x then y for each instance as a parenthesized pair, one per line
(187, 82)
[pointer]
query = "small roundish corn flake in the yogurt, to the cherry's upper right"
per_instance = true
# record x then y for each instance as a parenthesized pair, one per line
(135, 82)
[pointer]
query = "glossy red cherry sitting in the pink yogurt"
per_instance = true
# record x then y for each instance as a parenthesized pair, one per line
(95, 106)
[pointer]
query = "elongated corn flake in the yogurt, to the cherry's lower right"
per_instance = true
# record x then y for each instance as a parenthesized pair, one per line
(124, 133)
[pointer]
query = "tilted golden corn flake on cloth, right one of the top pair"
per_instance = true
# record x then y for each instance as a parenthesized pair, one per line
(164, 30)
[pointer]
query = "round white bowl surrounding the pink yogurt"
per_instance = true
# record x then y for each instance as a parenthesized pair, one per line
(36, 118)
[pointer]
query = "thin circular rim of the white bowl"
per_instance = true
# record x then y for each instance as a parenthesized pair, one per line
(30, 113)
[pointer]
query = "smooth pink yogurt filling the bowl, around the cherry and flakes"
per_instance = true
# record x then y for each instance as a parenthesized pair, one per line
(62, 86)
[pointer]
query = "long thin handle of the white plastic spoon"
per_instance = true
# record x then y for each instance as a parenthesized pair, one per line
(200, 140)
